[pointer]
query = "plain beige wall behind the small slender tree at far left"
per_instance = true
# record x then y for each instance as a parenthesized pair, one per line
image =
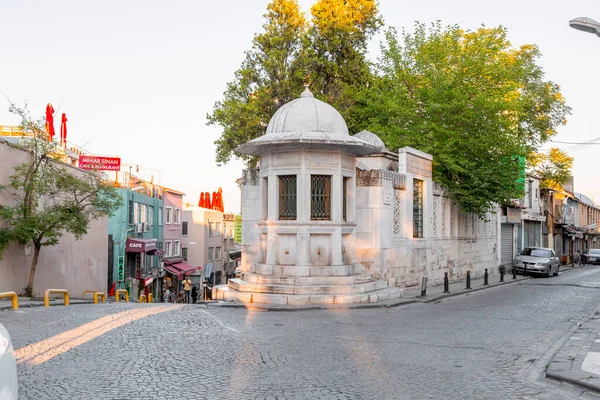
(75, 265)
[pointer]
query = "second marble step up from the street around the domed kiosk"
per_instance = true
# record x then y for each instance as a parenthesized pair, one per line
(243, 286)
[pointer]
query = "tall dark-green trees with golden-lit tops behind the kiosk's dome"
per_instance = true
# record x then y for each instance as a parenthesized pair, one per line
(328, 51)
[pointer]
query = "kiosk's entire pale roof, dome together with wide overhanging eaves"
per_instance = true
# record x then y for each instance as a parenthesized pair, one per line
(309, 122)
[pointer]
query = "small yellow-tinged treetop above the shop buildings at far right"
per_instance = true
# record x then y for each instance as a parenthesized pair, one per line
(553, 168)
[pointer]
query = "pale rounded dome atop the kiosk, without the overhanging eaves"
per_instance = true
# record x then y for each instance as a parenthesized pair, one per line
(307, 114)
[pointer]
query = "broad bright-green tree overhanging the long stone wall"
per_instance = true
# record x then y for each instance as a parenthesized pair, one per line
(470, 99)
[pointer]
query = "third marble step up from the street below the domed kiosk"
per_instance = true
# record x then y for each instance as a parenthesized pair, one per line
(305, 280)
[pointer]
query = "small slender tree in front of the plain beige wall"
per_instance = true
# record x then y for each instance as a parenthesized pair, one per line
(49, 198)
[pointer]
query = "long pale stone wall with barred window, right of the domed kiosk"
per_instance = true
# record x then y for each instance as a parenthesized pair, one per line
(453, 241)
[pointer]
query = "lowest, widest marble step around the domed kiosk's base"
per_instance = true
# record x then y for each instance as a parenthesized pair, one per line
(226, 294)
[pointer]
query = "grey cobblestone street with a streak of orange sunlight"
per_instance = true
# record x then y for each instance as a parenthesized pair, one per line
(478, 346)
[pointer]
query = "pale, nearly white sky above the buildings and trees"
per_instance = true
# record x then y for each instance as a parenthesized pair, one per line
(137, 78)
